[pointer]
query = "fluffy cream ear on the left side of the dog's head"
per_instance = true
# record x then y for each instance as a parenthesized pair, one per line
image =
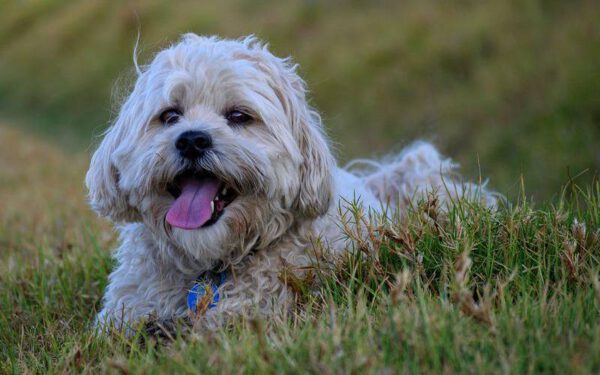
(102, 181)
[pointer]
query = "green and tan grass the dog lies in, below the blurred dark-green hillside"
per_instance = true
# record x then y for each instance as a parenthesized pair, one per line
(475, 291)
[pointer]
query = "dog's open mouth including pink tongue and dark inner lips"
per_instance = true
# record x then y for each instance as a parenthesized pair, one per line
(200, 200)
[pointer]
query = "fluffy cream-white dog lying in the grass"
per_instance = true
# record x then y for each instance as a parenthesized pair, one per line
(216, 164)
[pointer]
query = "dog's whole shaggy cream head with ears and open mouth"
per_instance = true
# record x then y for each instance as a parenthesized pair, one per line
(215, 150)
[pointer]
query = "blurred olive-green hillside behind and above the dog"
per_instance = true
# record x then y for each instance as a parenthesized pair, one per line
(508, 87)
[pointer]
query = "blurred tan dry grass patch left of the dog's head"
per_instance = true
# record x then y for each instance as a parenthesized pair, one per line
(43, 197)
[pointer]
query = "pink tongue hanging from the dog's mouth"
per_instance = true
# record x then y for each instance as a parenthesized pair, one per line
(192, 209)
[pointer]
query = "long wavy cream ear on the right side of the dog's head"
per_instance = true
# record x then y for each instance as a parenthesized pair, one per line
(316, 180)
